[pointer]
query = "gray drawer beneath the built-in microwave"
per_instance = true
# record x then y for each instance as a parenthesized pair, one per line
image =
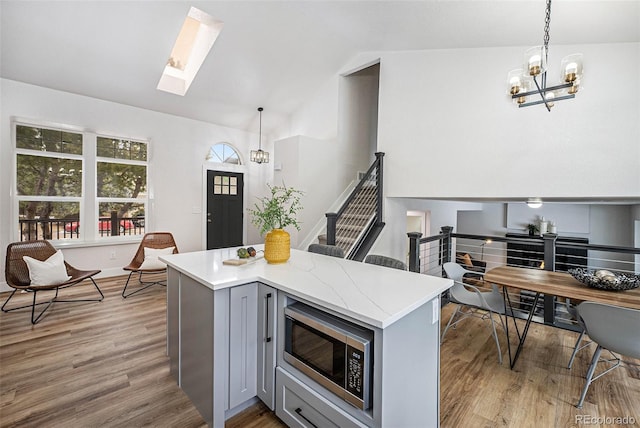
(299, 406)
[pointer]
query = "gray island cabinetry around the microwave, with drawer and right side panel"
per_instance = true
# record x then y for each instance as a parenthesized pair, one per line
(405, 387)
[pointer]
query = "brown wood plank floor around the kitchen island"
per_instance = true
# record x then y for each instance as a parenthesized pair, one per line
(104, 365)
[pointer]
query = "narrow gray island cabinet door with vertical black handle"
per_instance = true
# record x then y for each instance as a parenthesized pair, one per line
(267, 299)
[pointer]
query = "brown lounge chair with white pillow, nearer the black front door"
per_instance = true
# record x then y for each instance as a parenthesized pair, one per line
(146, 261)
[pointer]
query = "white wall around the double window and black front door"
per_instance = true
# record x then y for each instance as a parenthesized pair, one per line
(178, 148)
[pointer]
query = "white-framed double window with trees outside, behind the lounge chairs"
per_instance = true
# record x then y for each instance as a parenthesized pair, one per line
(53, 170)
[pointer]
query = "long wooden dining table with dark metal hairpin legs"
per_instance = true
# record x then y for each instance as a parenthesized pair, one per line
(550, 283)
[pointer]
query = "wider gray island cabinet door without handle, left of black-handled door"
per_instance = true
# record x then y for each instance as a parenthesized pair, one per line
(243, 341)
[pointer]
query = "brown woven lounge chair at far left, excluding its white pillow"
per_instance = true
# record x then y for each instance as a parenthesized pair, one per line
(17, 276)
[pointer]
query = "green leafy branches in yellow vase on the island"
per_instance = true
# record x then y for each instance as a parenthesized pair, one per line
(271, 214)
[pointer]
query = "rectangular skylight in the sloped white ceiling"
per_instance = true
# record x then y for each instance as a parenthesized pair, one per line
(198, 34)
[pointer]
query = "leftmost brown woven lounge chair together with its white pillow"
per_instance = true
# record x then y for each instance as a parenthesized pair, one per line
(35, 266)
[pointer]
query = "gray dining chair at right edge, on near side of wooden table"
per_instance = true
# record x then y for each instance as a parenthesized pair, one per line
(612, 328)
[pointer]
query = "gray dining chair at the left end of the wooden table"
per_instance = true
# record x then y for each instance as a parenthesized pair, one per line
(473, 302)
